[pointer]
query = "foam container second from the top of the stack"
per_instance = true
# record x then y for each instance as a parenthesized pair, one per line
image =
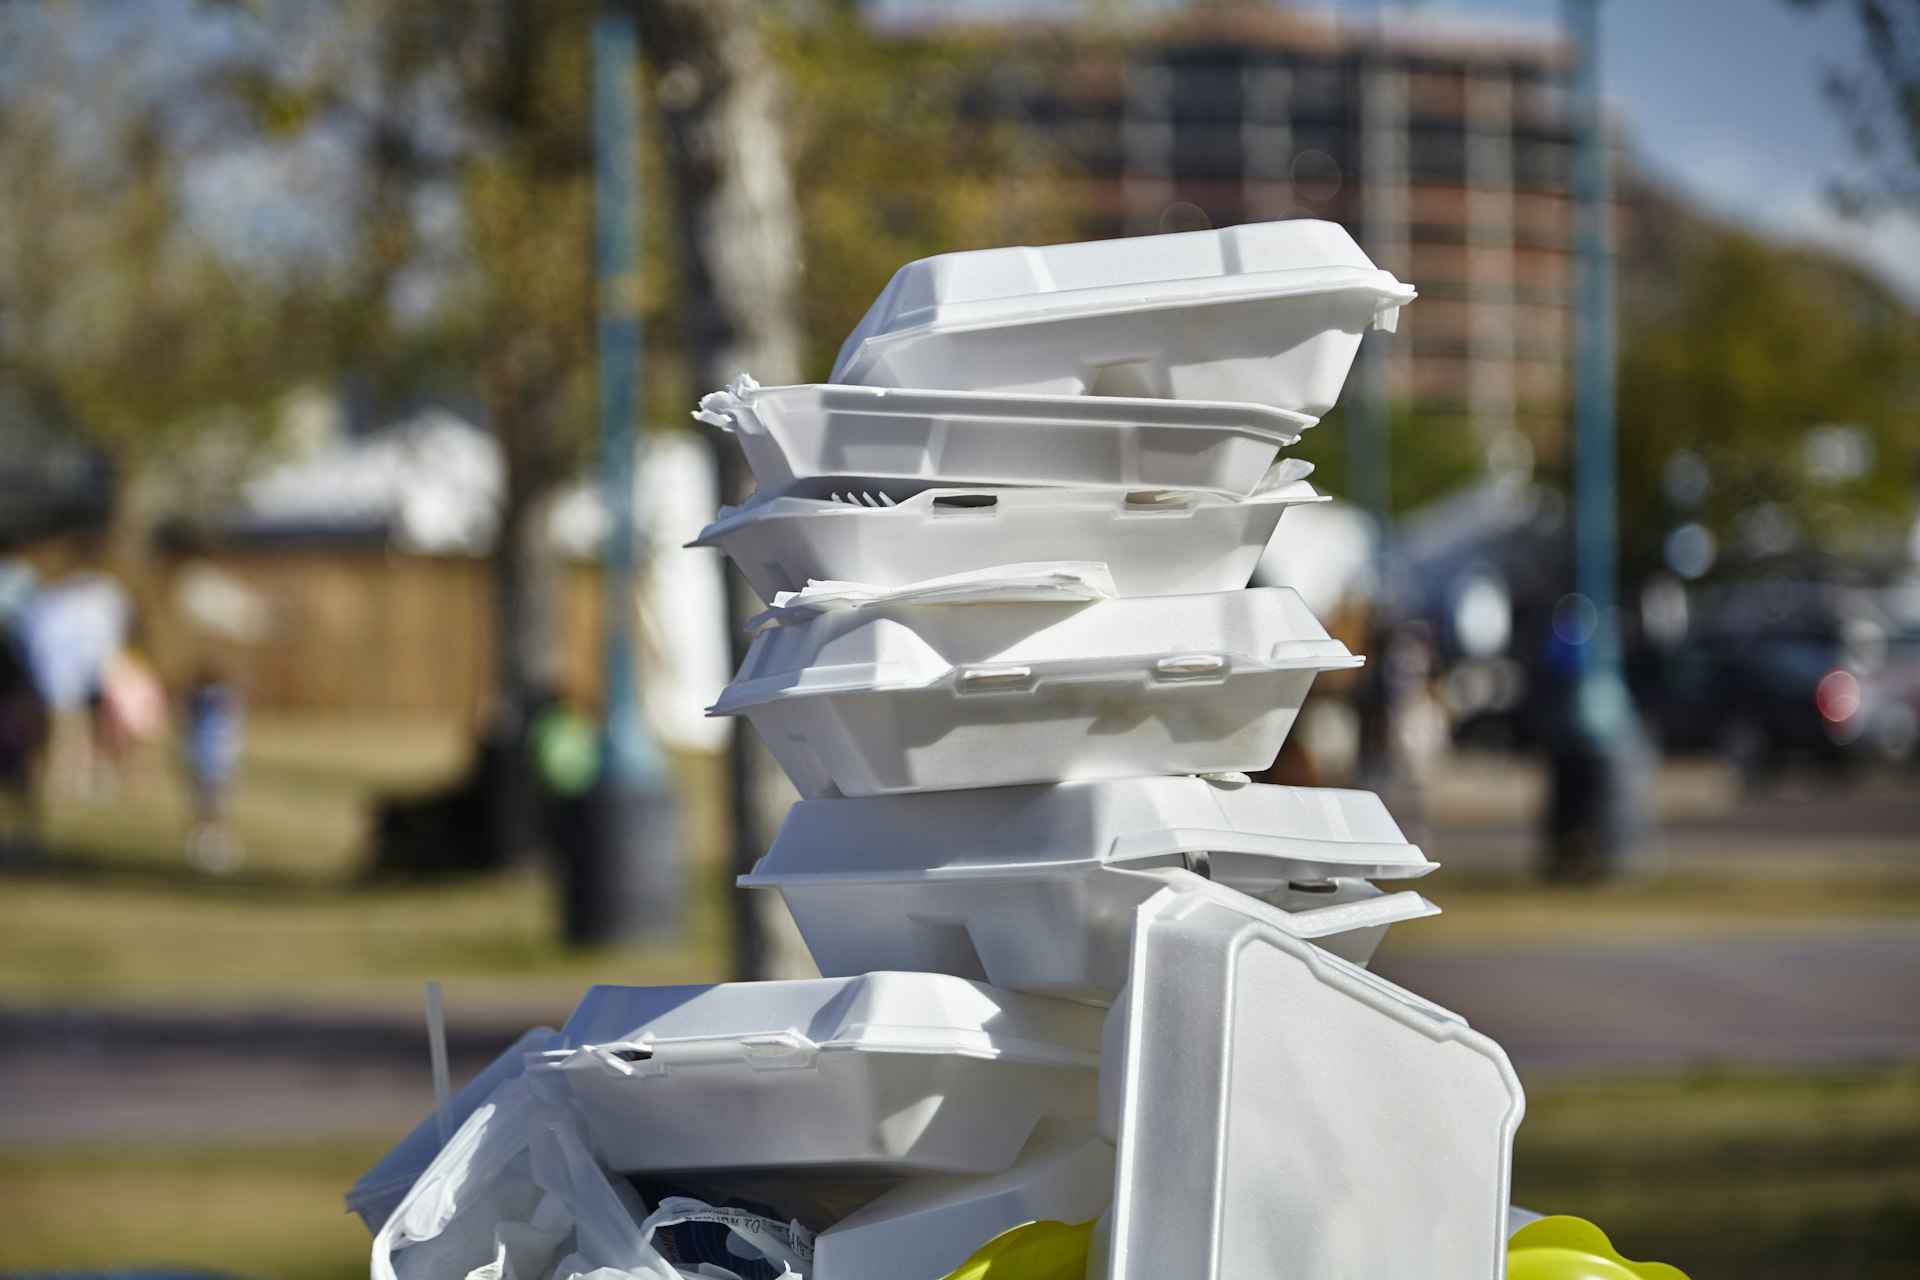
(828, 439)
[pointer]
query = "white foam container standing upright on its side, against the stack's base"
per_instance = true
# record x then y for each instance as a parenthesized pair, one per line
(1345, 1127)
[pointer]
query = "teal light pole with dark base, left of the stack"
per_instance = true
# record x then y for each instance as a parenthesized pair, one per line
(625, 863)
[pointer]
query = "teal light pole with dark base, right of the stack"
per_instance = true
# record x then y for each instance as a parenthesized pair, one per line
(1600, 765)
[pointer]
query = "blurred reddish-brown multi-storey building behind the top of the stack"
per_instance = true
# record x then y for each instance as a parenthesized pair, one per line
(1441, 143)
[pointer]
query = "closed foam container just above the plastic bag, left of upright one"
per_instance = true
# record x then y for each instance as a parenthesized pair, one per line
(884, 1074)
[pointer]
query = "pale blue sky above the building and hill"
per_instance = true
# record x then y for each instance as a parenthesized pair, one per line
(1721, 101)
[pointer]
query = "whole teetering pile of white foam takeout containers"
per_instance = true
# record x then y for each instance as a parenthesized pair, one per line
(1076, 966)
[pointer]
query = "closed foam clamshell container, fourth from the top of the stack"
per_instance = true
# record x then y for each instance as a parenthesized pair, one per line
(934, 698)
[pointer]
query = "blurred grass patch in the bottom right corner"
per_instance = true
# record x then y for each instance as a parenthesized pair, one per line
(1739, 1175)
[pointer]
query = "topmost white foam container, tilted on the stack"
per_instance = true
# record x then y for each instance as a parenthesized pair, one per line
(1268, 314)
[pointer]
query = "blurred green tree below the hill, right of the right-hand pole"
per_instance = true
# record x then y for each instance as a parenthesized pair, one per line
(1737, 354)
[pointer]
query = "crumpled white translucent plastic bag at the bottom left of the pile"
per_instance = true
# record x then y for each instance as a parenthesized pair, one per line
(519, 1185)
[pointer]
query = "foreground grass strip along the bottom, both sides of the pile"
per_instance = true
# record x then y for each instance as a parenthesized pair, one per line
(1725, 1175)
